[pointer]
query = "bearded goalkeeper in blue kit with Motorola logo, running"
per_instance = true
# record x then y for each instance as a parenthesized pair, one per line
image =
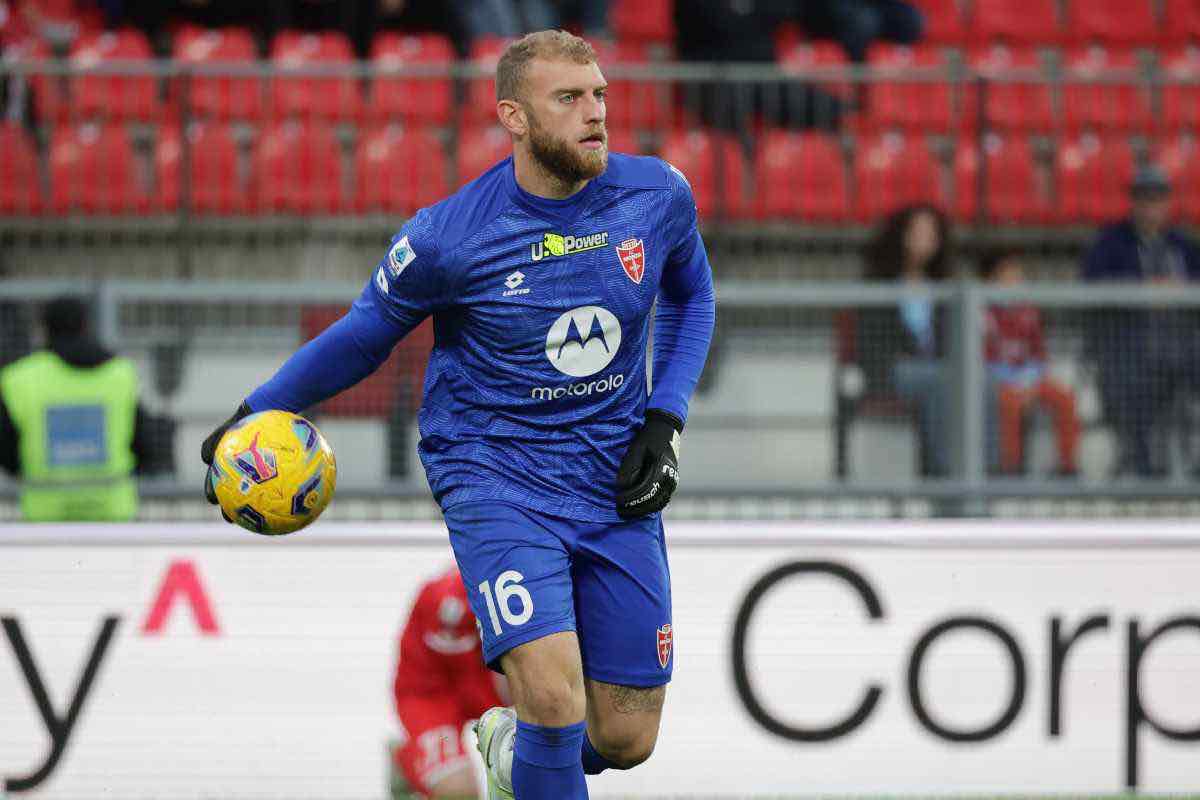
(548, 449)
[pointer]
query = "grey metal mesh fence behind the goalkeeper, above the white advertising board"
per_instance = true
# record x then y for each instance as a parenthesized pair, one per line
(819, 399)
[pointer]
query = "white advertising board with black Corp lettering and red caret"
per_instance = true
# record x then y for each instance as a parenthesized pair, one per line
(199, 661)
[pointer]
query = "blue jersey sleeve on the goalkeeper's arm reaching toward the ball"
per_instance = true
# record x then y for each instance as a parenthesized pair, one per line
(404, 290)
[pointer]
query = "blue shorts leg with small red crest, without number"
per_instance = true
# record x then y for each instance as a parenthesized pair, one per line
(623, 604)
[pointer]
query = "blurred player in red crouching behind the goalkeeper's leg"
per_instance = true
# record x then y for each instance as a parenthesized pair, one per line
(441, 684)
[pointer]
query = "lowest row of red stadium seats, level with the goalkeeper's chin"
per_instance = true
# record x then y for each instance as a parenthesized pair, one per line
(295, 169)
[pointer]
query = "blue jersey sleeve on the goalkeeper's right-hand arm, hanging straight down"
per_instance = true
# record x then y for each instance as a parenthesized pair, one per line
(687, 308)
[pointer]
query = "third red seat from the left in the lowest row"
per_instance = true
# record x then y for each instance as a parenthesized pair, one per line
(215, 183)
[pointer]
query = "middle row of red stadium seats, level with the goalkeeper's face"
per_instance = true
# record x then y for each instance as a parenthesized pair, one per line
(1022, 93)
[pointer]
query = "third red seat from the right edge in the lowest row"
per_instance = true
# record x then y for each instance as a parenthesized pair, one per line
(1013, 193)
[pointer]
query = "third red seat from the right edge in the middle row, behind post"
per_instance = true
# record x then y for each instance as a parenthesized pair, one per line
(1018, 89)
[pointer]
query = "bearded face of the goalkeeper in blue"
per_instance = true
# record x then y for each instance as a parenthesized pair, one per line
(566, 106)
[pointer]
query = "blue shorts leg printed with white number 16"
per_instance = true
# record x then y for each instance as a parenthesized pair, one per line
(518, 573)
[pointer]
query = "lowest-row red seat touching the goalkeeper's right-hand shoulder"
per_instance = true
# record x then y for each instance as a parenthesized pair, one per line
(715, 167)
